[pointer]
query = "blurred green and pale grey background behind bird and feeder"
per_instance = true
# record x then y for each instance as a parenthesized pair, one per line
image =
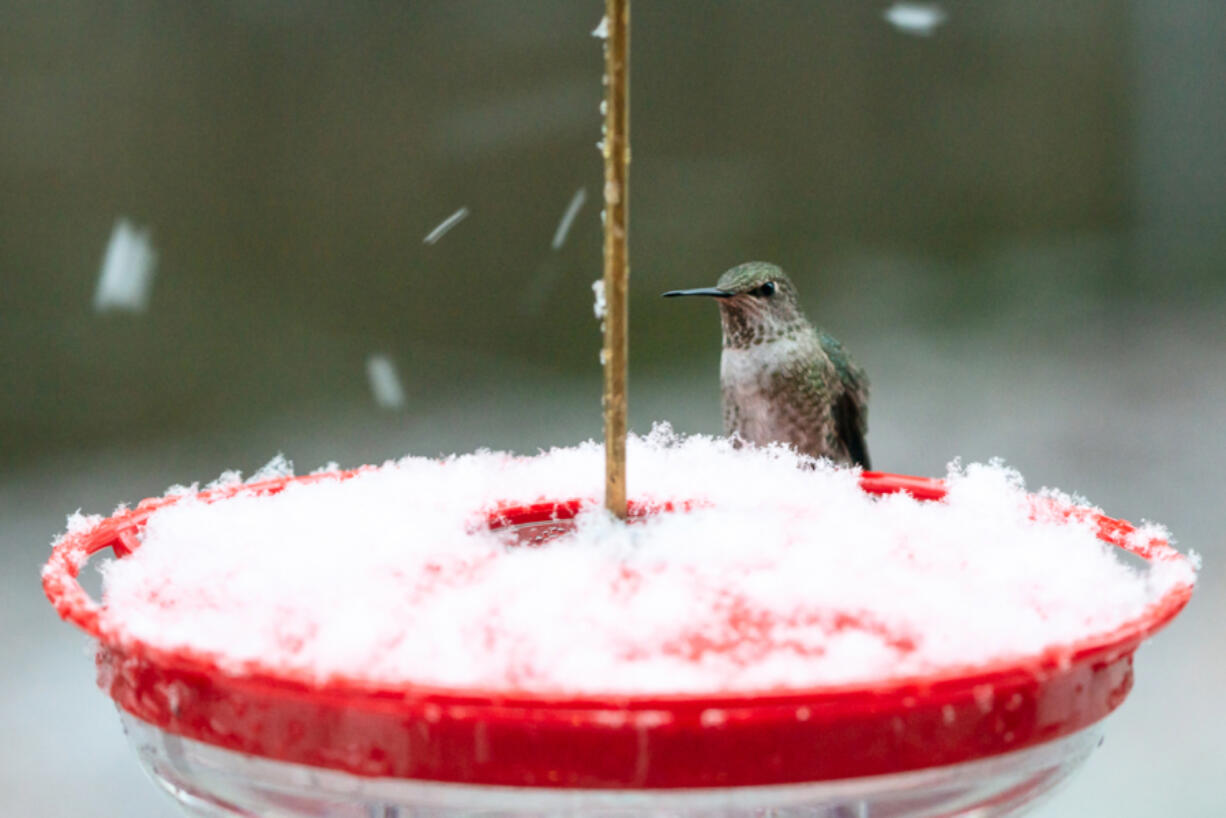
(214, 224)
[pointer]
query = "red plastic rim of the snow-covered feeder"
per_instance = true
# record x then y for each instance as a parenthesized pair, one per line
(611, 741)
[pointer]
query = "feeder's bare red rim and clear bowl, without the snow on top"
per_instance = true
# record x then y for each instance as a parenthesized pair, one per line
(988, 739)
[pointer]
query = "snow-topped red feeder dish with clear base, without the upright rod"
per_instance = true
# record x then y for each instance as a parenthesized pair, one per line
(768, 632)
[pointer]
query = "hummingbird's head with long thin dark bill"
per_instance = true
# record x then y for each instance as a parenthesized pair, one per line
(758, 304)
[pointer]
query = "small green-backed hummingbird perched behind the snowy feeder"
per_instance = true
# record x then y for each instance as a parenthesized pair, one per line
(783, 378)
